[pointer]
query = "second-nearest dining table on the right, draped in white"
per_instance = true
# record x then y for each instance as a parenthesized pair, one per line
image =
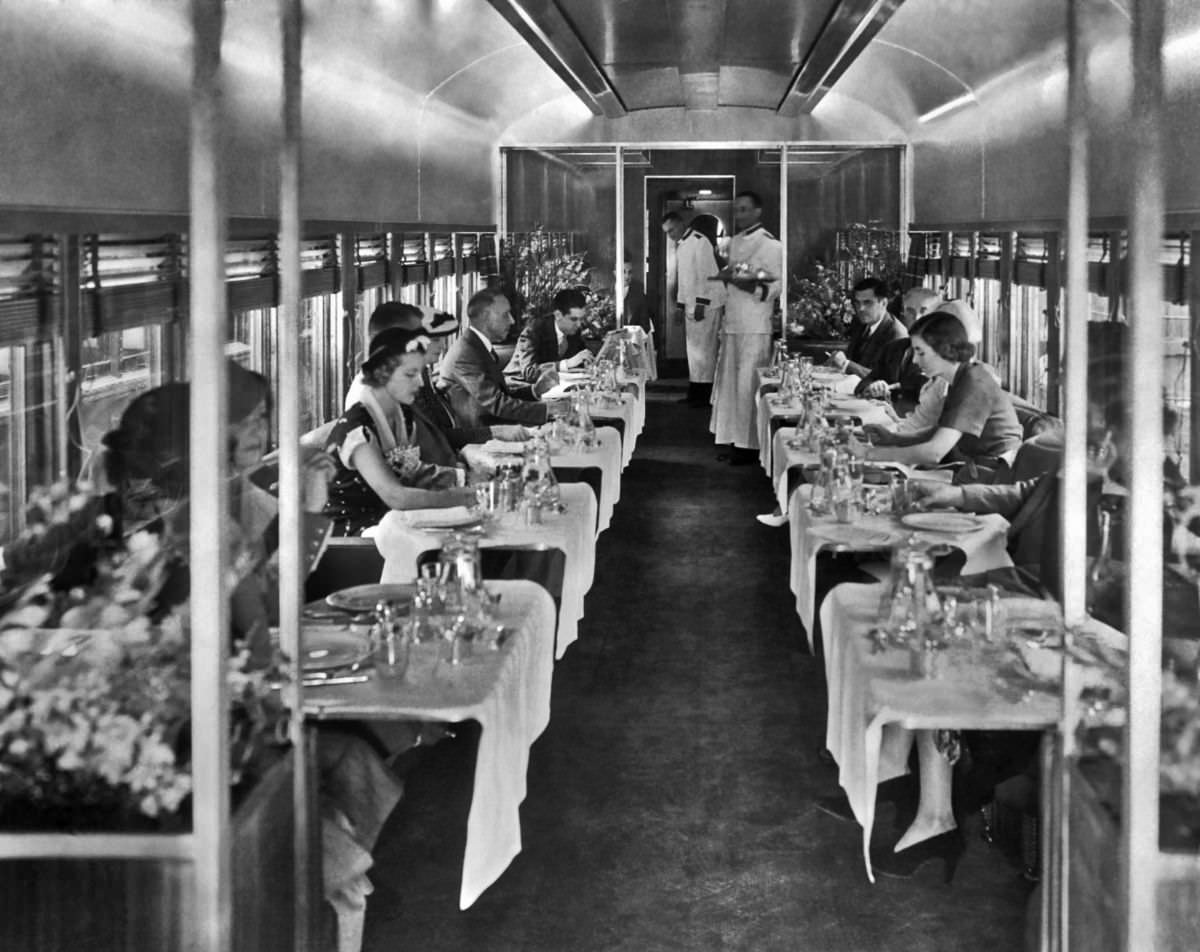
(983, 544)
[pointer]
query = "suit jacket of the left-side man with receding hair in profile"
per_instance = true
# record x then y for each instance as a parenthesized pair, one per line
(479, 393)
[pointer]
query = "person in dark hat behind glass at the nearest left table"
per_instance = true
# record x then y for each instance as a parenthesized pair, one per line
(147, 465)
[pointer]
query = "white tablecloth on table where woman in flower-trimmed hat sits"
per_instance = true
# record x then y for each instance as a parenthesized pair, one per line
(574, 532)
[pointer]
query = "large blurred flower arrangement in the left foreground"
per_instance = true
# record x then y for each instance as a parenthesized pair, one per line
(95, 684)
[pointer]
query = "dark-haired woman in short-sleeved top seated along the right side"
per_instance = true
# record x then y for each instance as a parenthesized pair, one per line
(977, 422)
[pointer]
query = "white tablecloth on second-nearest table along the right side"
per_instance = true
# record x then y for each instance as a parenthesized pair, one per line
(985, 548)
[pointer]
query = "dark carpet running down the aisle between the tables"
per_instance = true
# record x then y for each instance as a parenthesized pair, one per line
(670, 799)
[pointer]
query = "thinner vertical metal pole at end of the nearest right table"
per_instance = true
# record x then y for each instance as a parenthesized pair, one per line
(1073, 511)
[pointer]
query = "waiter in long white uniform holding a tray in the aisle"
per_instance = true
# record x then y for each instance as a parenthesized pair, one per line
(757, 262)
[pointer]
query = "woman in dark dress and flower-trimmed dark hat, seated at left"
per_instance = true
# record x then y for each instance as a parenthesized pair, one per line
(377, 444)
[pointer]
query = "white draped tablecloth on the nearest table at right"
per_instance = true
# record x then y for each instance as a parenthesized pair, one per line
(869, 691)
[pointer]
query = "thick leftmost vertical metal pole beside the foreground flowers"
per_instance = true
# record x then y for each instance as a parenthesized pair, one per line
(208, 475)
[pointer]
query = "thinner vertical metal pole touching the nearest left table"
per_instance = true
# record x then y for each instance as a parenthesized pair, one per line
(292, 561)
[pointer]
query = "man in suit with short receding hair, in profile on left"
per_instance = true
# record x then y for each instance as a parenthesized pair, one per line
(472, 375)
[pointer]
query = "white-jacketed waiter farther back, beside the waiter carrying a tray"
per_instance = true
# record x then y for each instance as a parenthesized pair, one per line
(700, 298)
